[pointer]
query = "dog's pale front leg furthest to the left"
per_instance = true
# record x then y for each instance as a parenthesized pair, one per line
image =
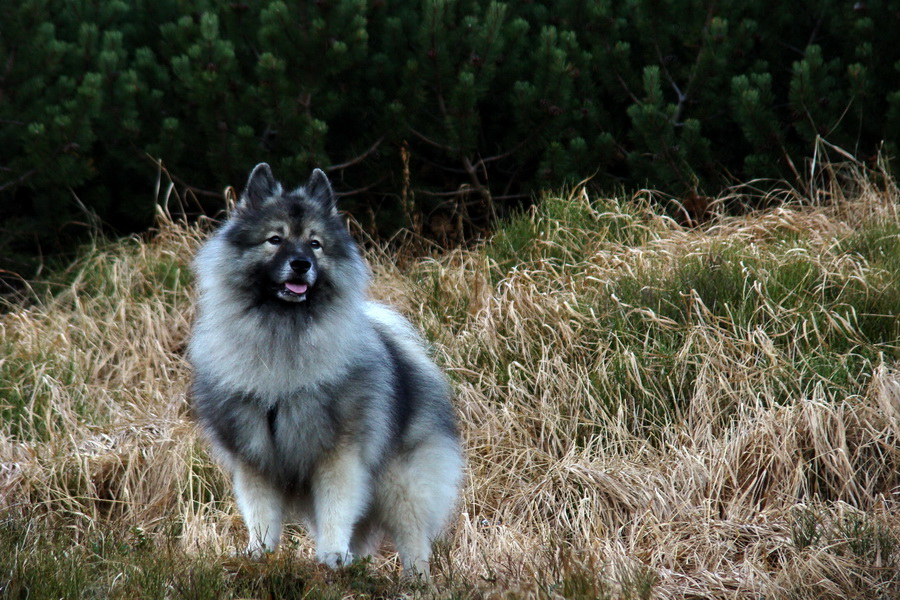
(262, 506)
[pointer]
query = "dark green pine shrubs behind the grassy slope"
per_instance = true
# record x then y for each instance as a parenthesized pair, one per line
(439, 115)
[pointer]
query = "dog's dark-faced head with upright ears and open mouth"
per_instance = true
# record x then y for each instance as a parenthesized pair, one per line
(293, 245)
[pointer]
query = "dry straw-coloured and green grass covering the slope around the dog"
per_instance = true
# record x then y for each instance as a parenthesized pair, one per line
(649, 411)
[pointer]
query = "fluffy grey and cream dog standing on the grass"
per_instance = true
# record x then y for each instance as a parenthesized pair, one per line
(319, 403)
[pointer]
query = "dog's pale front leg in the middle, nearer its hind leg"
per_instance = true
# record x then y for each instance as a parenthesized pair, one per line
(341, 490)
